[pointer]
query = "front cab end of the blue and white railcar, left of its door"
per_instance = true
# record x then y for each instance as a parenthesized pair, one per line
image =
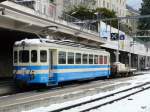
(30, 64)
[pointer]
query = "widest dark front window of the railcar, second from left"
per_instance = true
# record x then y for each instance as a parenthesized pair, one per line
(24, 56)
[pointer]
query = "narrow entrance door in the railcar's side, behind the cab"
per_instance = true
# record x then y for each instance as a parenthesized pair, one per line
(50, 63)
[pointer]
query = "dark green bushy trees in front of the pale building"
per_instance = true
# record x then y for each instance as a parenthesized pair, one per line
(85, 13)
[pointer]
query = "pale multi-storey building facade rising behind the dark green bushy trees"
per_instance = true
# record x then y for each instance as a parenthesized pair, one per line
(119, 6)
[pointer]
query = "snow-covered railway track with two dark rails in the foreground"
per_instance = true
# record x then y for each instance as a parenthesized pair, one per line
(95, 103)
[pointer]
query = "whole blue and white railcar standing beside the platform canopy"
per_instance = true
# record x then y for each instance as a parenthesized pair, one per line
(47, 62)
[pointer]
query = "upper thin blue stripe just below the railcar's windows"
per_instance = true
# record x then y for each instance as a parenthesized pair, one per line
(60, 67)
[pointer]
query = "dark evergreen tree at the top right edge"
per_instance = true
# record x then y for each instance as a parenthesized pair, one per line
(144, 23)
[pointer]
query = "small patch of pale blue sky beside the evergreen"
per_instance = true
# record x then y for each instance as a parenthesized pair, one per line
(134, 3)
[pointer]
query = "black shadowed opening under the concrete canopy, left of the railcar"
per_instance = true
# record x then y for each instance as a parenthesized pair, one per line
(8, 37)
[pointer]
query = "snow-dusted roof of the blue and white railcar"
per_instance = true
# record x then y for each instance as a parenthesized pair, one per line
(46, 42)
